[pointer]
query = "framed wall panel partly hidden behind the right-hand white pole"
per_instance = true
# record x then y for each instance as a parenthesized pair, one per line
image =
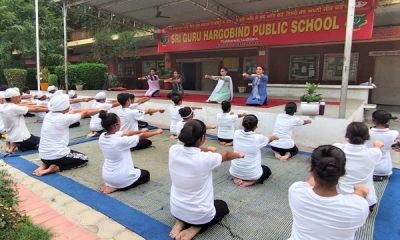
(333, 66)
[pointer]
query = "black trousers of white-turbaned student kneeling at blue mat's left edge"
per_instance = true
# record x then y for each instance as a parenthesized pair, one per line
(73, 159)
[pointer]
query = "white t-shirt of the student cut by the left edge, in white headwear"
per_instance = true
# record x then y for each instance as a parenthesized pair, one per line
(14, 122)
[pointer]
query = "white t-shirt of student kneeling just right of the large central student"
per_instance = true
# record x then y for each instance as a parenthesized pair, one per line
(250, 143)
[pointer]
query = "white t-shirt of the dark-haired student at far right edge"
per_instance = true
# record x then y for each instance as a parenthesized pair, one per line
(388, 137)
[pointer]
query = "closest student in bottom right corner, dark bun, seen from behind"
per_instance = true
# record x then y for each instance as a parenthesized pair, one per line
(319, 211)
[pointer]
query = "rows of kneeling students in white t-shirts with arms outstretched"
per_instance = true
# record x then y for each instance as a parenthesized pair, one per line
(330, 205)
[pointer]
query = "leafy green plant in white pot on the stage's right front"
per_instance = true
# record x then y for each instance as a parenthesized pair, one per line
(310, 100)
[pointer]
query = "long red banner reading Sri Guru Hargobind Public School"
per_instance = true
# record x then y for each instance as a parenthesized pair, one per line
(323, 23)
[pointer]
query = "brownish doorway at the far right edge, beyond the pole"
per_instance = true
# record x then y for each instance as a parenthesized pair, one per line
(387, 81)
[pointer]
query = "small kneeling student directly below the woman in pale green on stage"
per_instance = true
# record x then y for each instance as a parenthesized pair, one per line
(226, 124)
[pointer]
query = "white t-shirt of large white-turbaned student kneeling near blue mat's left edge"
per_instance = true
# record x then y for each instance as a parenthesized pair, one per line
(54, 136)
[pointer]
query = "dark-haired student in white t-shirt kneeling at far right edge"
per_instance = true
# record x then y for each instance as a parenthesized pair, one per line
(381, 132)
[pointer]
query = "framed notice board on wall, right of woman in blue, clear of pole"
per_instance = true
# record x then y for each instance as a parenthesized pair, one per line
(304, 67)
